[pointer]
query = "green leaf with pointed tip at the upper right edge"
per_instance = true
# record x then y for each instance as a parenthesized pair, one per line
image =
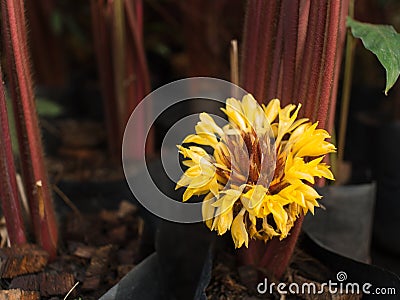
(384, 42)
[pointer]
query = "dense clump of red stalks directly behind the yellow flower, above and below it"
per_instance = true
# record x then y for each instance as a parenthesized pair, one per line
(298, 61)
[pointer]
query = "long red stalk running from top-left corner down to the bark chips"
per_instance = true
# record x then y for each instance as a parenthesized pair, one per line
(21, 90)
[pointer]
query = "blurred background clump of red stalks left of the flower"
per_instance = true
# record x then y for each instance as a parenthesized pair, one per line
(118, 37)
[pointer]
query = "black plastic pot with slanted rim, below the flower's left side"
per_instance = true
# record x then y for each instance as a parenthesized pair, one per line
(179, 269)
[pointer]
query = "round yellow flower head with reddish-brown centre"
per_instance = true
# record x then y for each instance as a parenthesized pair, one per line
(257, 178)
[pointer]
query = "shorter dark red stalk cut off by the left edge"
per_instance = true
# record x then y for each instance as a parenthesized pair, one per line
(10, 203)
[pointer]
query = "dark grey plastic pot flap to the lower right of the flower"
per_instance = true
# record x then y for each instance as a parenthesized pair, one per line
(344, 224)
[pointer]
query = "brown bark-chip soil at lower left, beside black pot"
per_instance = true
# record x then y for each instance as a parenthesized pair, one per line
(97, 250)
